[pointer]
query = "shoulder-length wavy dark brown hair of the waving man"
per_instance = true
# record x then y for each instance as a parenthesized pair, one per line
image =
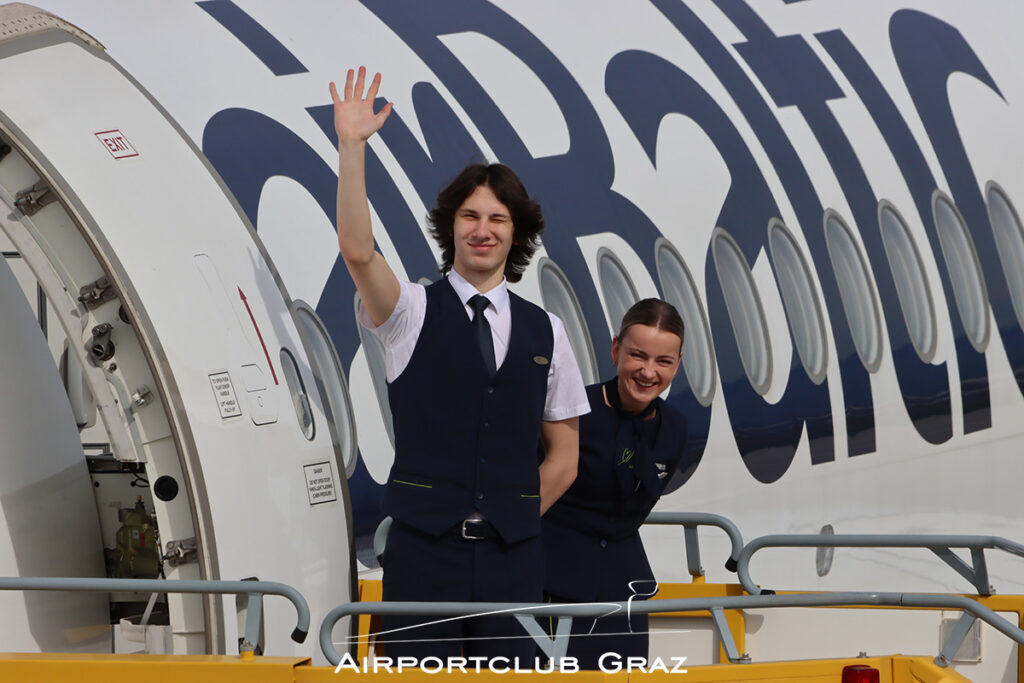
(527, 220)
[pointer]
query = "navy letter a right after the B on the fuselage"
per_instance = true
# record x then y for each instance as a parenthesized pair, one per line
(647, 89)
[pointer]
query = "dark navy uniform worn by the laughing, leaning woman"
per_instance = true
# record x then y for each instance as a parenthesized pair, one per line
(591, 535)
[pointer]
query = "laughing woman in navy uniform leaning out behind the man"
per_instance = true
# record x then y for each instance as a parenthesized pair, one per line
(630, 445)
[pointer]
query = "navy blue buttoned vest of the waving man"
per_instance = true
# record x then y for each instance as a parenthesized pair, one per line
(463, 442)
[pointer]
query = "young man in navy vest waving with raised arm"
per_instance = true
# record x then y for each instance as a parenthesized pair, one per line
(478, 377)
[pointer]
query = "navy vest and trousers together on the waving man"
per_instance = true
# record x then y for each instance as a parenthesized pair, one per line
(465, 444)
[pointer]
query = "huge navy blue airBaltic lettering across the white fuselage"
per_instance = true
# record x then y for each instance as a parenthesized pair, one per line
(647, 89)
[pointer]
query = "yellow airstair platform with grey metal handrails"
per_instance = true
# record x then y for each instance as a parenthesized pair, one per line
(727, 611)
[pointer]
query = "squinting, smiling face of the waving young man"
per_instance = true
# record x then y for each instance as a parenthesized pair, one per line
(484, 235)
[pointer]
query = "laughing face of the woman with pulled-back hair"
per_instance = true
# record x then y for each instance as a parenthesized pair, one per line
(648, 359)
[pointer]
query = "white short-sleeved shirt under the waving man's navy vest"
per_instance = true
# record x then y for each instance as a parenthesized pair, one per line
(400, 333)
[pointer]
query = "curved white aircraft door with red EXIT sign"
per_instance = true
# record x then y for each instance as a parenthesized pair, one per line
(185, 335)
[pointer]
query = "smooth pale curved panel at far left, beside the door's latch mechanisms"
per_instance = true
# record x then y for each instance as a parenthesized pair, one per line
(49, 523)
